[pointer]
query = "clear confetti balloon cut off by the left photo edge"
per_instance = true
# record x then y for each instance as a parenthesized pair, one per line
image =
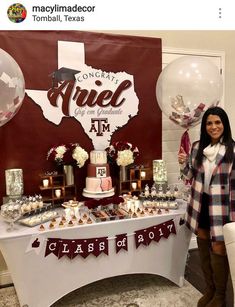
(12, 87)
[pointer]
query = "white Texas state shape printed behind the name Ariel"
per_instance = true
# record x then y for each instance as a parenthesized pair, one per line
(72, 55)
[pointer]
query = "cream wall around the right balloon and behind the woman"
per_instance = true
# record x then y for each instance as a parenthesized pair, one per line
(205, 42)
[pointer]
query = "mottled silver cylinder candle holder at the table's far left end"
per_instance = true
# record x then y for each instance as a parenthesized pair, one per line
(14, 182)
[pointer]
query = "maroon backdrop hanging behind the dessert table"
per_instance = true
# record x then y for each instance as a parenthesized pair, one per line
(26, 138)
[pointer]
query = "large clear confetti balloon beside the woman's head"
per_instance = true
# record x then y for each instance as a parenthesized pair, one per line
(187, 87)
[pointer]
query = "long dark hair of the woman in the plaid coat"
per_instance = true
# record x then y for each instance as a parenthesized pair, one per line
(205, 139)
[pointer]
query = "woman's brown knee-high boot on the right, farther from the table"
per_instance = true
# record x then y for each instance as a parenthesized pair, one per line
(220, 269)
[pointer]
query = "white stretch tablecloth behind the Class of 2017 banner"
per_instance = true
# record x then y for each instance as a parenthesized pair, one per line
(40, 281)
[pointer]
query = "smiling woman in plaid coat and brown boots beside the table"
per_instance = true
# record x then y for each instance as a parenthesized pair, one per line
(211, 167)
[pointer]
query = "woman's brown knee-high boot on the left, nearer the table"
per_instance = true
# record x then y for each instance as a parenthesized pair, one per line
(204, 247)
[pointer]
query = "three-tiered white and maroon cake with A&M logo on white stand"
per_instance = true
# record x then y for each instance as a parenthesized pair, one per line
(98, 180)
